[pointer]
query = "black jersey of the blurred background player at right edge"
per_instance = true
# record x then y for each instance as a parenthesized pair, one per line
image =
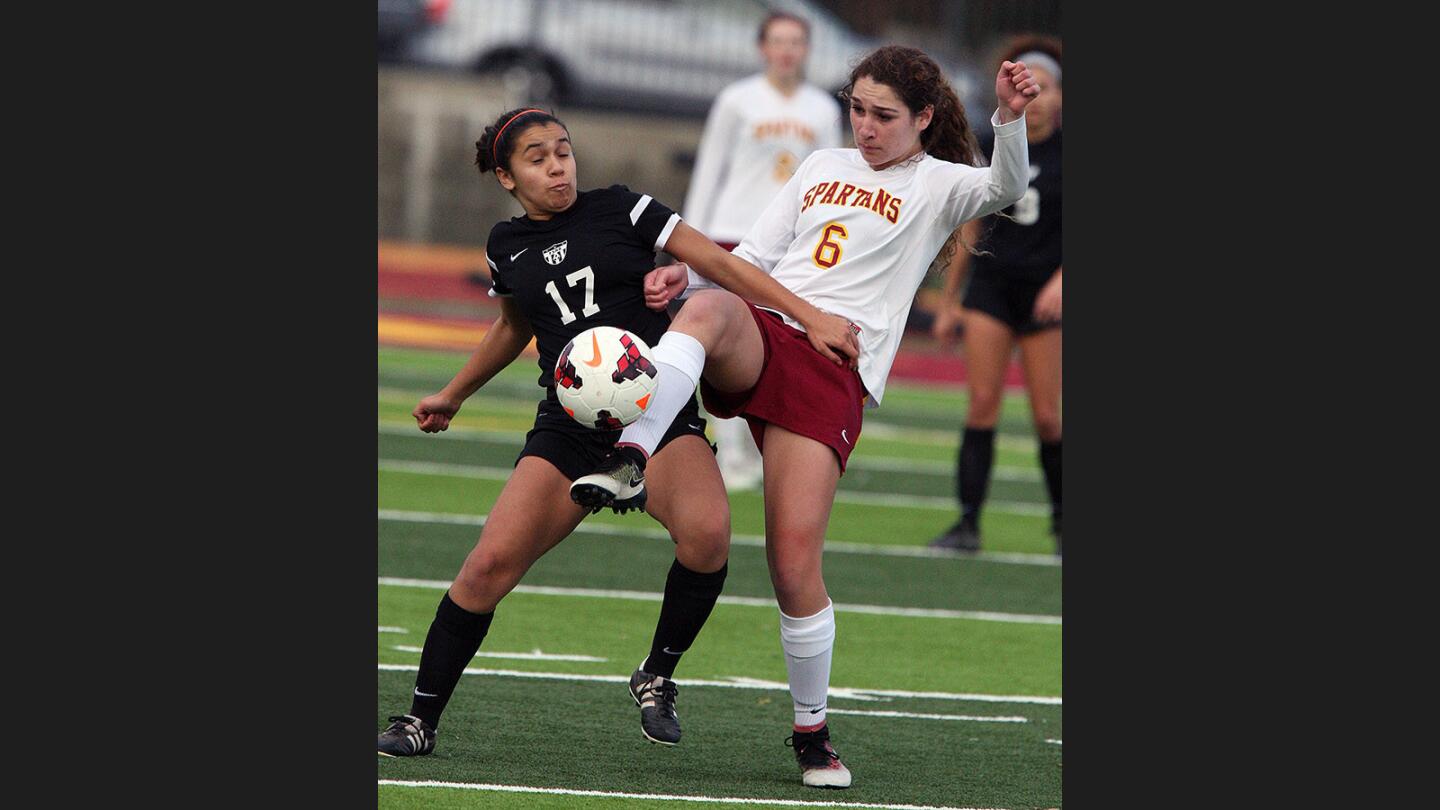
(1027, 240)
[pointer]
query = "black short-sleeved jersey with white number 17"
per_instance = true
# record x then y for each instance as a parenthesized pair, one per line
(584, 267)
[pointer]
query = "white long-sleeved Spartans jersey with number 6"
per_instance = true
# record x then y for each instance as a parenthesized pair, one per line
(858, 243)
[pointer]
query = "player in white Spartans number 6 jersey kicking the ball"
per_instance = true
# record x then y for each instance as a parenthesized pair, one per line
(852, 234)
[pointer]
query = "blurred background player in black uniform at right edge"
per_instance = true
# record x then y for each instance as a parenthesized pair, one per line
(1013, 298)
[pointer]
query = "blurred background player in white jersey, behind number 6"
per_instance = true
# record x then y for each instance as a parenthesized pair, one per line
(757, 135)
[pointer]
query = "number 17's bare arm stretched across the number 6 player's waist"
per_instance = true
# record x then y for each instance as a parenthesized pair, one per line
(830, 335)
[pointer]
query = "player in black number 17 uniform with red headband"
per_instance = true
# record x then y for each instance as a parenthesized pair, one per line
(575, 260)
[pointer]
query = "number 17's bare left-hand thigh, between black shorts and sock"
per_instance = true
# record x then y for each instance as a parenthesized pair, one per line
(532, 515)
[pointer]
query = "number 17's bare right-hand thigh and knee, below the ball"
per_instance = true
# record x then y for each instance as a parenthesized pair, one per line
(688, 497)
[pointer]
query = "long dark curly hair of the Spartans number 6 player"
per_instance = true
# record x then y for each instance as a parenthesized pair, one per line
(919, 83)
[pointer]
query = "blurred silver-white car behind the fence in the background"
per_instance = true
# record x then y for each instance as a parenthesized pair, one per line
(637, 55)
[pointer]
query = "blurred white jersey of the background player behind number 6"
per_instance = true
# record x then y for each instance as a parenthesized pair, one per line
(754, 141)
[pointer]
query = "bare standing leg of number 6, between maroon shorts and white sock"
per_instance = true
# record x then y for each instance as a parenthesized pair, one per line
(801, 476)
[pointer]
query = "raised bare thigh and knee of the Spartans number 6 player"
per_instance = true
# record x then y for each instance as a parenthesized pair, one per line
(724, 325)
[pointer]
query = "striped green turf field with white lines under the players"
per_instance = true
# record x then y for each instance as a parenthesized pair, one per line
(945, 688)
